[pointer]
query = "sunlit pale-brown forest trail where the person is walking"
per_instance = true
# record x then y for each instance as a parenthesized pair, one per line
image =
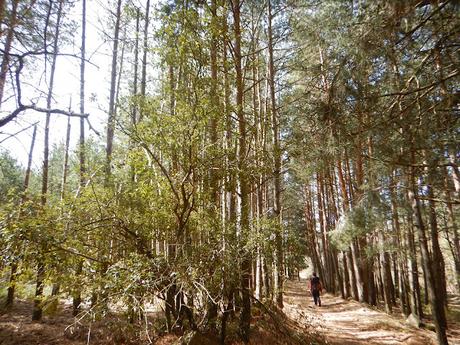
(347, 322)
